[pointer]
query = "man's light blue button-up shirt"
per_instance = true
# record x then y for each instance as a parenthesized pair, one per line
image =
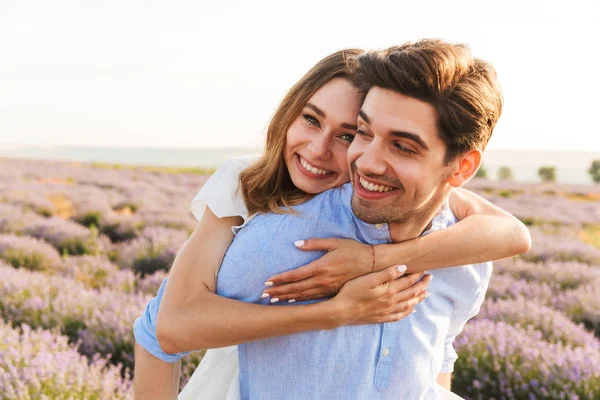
(399, 360)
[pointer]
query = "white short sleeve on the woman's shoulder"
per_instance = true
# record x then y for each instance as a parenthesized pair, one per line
(220, 191)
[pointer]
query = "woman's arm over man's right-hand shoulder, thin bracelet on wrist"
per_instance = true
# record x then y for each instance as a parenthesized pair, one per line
(484, 232)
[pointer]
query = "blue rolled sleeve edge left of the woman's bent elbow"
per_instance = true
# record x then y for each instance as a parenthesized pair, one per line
(144, 329)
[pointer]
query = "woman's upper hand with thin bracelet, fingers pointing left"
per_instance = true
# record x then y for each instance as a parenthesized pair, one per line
(345, 260)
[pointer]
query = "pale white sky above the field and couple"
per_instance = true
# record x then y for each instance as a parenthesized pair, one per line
(133, 73)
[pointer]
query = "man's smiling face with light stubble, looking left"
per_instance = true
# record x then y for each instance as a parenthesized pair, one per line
(397, 159)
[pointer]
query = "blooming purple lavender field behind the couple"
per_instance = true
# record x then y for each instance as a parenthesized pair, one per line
(83, 247)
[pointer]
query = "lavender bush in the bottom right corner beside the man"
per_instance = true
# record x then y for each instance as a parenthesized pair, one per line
(515, 362)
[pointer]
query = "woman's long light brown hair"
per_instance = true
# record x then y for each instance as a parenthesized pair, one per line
(266, 185)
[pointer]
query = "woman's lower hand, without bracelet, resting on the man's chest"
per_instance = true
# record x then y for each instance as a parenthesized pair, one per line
(383, 296)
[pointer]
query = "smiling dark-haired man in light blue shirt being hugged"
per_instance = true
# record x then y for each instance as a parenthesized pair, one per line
(428, 114)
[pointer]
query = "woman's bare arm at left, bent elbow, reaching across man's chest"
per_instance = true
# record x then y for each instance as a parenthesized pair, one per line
(191, 316)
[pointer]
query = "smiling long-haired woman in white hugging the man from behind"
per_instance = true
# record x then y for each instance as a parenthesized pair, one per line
(320, 110)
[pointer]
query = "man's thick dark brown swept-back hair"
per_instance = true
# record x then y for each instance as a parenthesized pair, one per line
(463, 89)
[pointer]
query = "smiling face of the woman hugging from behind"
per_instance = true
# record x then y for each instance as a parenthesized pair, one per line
(318, 140)
